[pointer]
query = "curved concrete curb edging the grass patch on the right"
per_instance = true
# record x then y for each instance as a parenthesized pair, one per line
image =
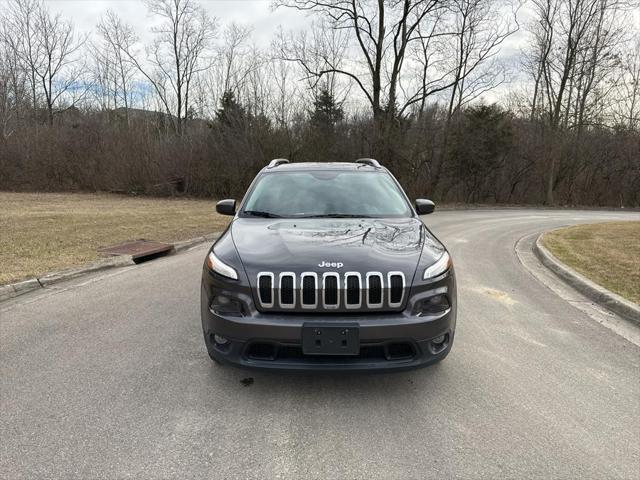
(593, 291)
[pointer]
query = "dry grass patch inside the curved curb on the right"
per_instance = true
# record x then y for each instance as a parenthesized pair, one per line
(607, 253)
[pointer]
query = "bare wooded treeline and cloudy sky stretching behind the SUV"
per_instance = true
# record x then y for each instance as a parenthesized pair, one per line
(197, 107)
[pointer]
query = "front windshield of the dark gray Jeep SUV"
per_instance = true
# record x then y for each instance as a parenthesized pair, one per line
(326, 194)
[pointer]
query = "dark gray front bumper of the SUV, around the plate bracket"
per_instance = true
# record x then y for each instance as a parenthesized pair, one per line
(388, 341)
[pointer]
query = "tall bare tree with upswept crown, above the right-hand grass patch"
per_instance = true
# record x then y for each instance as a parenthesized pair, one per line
(572, 57)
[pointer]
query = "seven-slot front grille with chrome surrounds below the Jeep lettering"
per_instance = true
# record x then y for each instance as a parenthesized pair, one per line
(331, 290)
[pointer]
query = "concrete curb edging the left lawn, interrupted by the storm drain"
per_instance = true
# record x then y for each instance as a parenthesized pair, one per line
(14, 289)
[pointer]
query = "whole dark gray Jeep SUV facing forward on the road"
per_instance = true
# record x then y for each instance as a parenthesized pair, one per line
(327, 266)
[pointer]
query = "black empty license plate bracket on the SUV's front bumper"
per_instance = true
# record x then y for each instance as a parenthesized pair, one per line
(330, 338)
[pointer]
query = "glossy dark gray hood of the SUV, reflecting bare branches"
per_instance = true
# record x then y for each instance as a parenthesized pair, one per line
(302, 245)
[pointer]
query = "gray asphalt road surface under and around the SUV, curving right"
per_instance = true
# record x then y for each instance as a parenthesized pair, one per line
(108, 377)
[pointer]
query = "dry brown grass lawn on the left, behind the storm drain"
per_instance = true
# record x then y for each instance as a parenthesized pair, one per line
(44, 232)
